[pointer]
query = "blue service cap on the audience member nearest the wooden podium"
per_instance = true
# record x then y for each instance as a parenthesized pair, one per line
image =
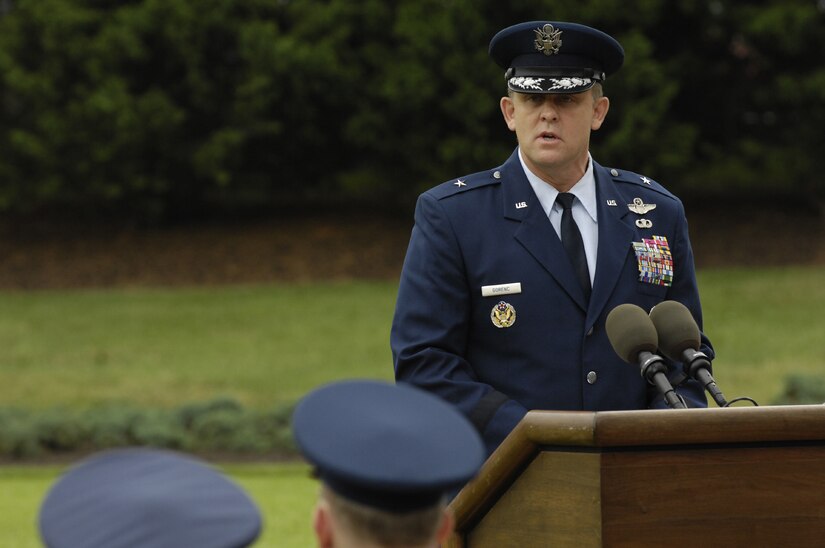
(391, 447)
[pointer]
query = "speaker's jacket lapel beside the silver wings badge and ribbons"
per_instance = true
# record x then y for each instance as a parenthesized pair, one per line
(614, 242)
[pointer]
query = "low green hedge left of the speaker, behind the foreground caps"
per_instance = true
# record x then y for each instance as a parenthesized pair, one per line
(220, 426)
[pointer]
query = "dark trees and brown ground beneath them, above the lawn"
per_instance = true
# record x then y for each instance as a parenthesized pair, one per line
(177, 142)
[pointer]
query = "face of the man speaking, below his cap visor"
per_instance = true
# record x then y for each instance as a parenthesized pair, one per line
(553, 130)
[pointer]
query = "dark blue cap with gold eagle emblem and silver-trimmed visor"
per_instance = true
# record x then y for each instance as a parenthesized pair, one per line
(554, 56)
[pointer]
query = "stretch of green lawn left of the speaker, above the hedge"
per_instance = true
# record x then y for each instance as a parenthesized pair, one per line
(262, 345)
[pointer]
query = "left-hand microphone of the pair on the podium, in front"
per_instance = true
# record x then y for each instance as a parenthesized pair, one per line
(634, 338)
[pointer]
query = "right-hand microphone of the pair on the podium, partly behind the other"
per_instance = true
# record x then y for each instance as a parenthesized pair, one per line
(679, 340)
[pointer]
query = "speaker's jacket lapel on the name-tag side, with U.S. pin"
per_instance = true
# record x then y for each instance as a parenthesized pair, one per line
(534, 231)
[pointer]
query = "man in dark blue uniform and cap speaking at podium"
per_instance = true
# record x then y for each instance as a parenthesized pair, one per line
(511, 272)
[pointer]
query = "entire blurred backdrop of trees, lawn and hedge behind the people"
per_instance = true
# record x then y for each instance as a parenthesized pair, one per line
(205, 204)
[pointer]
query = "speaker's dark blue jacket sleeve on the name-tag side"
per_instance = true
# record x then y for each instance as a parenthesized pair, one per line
(431, 324)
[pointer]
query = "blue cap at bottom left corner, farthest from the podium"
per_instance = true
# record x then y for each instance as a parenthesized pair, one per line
(136, 498)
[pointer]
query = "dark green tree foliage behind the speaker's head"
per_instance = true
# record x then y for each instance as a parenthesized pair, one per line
(154, 109)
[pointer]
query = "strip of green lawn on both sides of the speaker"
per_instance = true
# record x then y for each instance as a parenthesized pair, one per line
(270, 344)
